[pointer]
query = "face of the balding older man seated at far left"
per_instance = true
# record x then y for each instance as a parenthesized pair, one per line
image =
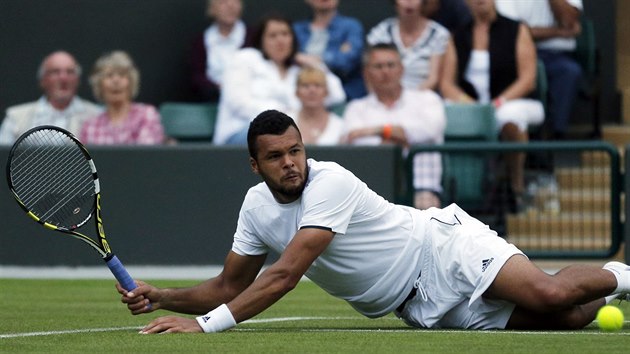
(60, 79)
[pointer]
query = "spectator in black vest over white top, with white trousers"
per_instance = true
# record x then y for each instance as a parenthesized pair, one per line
(493, 60)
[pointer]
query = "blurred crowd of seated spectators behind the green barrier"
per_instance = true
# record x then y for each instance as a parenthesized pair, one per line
(393, 79)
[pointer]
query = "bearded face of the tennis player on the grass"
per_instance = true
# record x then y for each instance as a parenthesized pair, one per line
(281, 162)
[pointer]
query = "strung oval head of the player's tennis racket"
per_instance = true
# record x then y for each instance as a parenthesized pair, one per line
(53, 178)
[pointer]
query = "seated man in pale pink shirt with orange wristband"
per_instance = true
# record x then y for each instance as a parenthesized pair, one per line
(392, 114)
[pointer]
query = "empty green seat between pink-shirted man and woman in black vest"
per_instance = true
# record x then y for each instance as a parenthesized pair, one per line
(466, 174)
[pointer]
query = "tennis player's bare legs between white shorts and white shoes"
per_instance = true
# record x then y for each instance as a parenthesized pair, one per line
(567, 299)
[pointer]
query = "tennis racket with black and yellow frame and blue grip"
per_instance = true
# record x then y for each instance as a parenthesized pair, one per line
(53, 178)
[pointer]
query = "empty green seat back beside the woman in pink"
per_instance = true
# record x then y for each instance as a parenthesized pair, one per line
(189, 122)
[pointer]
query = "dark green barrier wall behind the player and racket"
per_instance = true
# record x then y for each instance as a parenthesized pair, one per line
(168, 205)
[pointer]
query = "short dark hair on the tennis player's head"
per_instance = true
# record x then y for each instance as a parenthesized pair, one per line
(268, 122)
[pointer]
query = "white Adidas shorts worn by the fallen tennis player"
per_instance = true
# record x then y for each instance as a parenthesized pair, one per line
(460, 259)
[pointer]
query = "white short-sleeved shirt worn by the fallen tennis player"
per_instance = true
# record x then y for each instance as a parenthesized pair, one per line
(373, 259)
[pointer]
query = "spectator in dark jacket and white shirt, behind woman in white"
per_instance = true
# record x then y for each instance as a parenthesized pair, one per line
(215, 47)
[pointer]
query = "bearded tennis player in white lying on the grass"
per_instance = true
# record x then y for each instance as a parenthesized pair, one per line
(435, 268)
